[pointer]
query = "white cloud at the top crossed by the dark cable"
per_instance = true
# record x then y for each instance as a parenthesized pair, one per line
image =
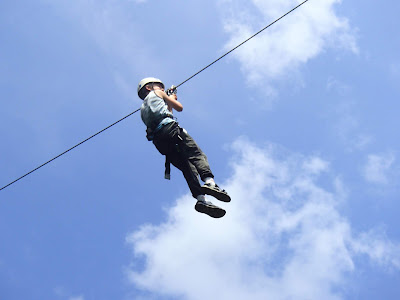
(284, 47)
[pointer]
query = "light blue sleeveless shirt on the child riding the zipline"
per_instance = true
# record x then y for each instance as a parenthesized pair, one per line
(154, 111)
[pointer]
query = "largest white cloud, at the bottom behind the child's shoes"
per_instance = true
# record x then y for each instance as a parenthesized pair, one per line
(282, 238)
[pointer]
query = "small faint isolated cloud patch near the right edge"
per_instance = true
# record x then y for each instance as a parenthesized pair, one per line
(378, 167)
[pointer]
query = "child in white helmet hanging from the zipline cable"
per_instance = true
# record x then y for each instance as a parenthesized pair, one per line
(177, 145)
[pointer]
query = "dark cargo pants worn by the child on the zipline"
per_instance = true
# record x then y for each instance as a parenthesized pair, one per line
(183, 152)
